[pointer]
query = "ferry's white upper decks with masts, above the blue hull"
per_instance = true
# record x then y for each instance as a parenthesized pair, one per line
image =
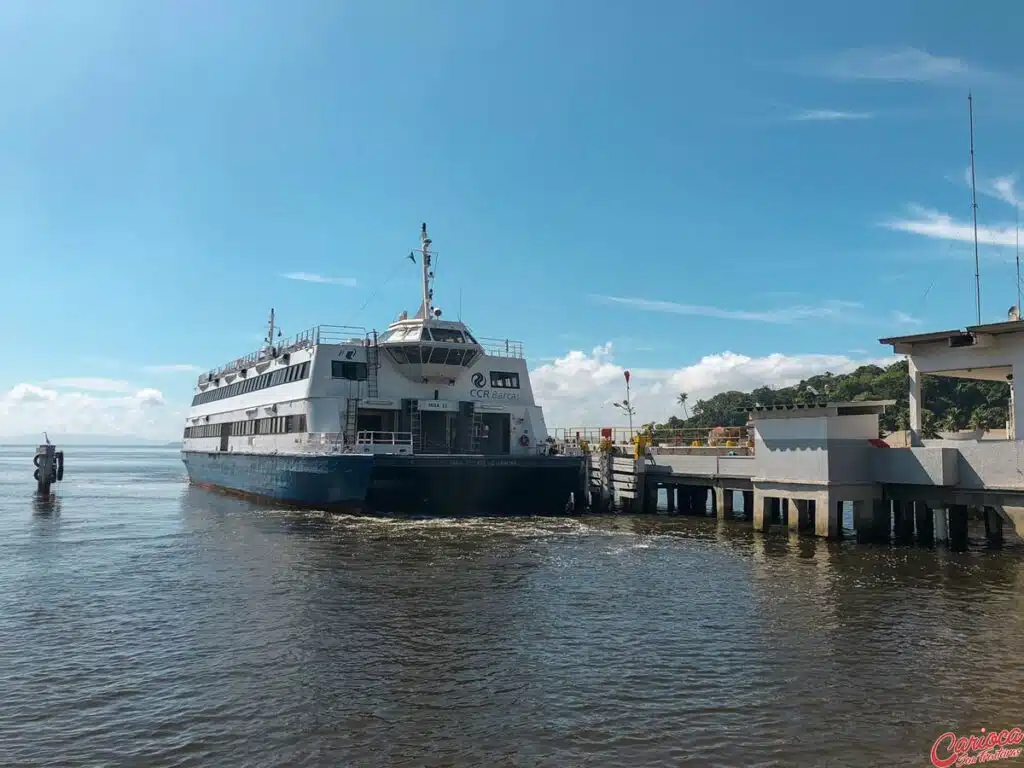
(426, 386)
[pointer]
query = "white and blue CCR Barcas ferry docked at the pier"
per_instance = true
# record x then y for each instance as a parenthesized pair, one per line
(425, 418)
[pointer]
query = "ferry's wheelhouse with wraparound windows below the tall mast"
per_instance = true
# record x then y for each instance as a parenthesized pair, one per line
(431, 350)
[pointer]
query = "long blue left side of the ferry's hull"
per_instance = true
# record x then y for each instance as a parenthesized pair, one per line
(307, 481)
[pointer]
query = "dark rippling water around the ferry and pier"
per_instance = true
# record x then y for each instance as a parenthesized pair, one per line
(145, 623)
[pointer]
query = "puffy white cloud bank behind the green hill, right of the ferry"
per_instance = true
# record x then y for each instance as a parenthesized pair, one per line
(579, 389)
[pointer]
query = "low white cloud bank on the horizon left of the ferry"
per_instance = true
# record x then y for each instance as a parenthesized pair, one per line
(95, 408)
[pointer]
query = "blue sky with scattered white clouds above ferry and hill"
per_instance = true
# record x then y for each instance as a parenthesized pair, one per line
(713, 195)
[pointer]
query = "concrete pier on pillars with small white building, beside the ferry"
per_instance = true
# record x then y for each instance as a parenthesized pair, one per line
(804, 462)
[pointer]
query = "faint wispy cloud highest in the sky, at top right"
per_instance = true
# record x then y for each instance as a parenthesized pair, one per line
(900, 65)
